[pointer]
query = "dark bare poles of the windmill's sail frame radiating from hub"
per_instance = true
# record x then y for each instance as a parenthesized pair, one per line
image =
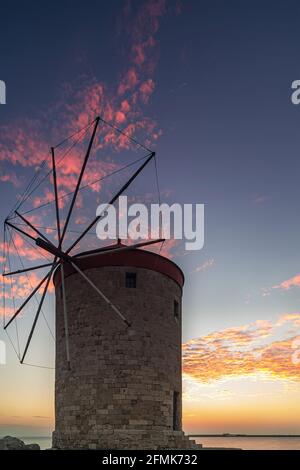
(63, 256)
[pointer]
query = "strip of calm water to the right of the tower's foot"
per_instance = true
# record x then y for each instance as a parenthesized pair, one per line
(252, 443)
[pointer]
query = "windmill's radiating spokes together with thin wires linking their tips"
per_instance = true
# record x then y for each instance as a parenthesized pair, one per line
(62, 256)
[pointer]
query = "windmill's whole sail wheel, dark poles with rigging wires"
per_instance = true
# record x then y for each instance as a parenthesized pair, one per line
(18, 222)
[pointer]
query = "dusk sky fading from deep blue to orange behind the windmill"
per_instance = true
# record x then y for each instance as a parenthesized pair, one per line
(207, 85)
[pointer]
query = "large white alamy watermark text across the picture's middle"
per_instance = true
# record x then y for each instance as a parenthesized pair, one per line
(138, 221)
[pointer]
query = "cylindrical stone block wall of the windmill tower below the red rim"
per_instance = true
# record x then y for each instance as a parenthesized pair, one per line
(119, 391)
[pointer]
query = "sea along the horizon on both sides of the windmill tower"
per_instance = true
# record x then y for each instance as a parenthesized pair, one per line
(240, 442)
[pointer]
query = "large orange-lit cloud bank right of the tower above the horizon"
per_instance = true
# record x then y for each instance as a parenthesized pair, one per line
(241, 351)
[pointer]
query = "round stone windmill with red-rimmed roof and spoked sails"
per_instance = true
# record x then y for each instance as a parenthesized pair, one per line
(118, 338)
